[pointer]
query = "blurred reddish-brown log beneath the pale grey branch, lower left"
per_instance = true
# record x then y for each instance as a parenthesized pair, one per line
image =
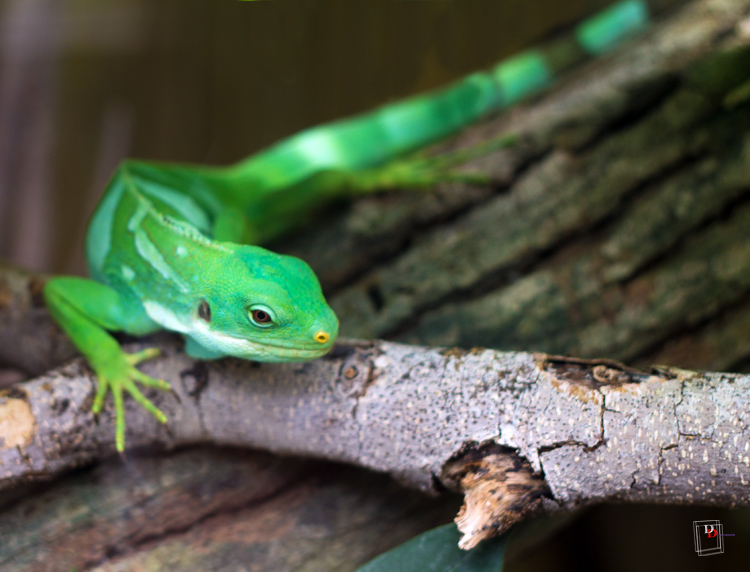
(200, 509)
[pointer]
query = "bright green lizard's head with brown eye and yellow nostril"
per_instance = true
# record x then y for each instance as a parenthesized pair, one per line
(266, 307)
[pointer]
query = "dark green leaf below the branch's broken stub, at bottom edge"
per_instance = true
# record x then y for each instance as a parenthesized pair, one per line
(437, 551)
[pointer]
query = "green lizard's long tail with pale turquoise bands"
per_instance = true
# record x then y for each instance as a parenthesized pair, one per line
(372, 139)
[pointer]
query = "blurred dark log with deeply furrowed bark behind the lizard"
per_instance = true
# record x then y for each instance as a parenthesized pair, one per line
(616, 225)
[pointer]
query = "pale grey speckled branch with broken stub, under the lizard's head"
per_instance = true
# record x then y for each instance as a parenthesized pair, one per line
(594, 431)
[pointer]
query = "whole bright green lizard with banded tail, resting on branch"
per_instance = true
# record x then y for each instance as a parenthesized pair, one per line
(168, 245)
